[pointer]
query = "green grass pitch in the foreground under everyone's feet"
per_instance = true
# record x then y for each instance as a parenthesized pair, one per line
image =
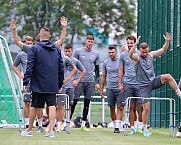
(104, 136)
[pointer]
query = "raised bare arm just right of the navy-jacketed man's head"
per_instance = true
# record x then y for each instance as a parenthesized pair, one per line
(63, 22)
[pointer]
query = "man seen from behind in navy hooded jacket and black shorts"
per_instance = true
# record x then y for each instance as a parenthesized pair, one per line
(46, 72)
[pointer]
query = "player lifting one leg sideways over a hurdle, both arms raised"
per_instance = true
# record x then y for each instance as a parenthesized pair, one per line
(146, 76)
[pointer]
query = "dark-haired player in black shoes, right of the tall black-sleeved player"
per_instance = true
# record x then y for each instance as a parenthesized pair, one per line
(110, 70)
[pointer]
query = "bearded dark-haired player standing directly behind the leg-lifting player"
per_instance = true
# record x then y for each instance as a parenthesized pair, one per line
(129, 86)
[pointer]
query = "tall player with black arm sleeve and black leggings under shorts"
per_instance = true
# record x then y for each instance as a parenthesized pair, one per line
(89, 58)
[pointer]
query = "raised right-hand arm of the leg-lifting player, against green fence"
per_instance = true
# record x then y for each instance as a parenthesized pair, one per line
(164, 47)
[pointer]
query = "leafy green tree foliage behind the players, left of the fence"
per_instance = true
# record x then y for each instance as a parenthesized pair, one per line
(104, 16)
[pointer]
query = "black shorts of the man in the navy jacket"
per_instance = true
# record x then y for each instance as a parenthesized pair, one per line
(39, 100)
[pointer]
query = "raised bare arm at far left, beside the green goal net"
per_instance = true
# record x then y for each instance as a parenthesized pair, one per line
(15, 35)
